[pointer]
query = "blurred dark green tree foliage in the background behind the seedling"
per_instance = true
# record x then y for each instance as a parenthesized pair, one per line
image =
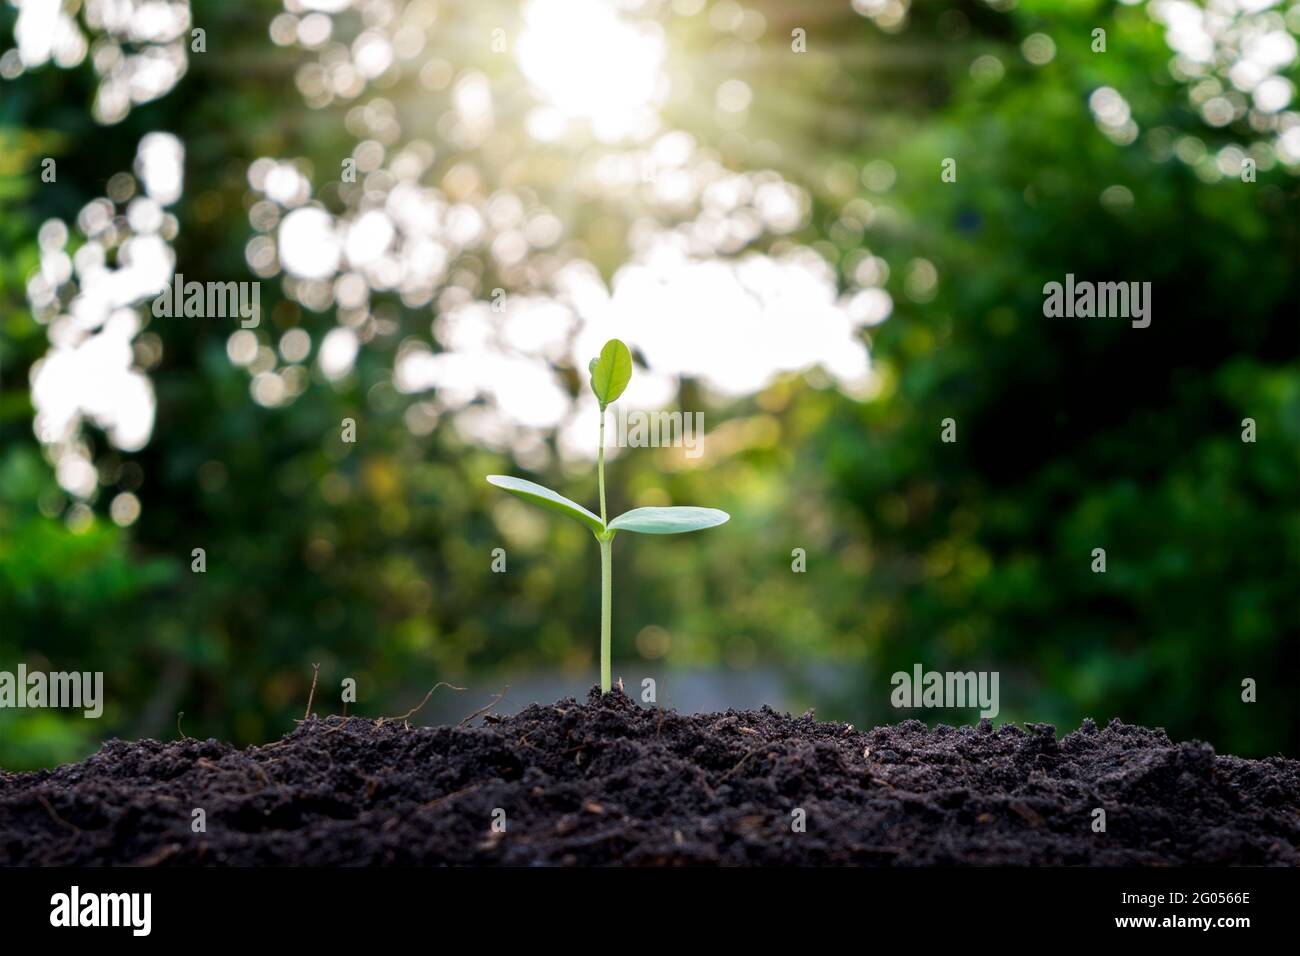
(374, 559)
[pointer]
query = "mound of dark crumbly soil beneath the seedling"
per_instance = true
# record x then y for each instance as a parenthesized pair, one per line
(608, 782)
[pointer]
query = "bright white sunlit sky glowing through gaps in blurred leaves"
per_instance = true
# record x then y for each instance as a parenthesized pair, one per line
(493, 180)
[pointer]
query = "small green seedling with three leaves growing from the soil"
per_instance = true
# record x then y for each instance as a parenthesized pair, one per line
(610, 377)
